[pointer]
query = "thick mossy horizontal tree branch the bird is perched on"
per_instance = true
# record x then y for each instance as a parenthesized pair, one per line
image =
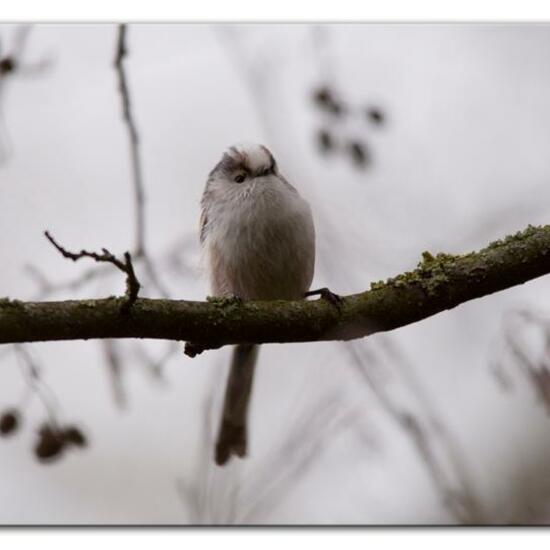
(439, 283)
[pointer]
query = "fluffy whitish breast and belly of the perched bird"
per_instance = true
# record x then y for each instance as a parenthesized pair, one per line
(262, 245)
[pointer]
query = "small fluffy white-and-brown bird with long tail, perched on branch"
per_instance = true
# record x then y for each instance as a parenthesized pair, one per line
(258, 243)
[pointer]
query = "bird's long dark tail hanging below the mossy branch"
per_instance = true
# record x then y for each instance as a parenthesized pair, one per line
(232, 434)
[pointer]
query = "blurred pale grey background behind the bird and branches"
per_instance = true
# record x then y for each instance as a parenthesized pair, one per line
(463, 159)
